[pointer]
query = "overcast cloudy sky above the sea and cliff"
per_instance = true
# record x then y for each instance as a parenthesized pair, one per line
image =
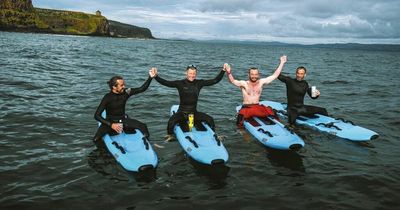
(292, 21)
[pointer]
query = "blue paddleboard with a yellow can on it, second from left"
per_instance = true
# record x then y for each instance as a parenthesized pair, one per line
(201, 145)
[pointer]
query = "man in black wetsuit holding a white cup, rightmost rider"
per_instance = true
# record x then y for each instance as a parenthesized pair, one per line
(296, 89)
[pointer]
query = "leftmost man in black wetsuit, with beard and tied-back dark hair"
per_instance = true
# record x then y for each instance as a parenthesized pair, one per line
(114, 103)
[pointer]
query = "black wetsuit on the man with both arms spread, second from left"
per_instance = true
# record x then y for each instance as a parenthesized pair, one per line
(189, 95)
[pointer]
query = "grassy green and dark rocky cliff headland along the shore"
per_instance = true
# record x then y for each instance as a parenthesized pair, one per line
(20, 15)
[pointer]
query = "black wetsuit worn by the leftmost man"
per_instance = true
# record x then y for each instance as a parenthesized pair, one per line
(114, 105)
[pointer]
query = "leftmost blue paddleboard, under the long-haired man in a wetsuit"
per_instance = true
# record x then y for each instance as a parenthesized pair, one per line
(132, 151)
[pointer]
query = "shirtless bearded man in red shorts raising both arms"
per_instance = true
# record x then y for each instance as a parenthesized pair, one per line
(251, 90)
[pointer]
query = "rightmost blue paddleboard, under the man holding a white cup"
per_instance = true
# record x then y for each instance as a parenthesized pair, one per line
(339, 127)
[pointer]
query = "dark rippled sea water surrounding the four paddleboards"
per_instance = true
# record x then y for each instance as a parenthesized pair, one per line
(51, 86)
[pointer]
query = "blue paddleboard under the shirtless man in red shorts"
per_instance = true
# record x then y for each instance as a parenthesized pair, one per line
(271, 133)
